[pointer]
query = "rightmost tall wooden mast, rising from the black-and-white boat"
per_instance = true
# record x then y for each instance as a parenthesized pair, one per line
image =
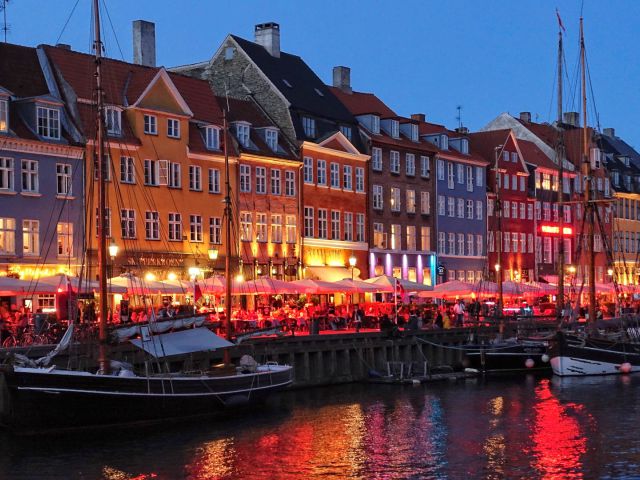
(587, 174)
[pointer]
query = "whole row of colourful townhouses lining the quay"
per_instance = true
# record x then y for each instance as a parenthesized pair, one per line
(326, 182)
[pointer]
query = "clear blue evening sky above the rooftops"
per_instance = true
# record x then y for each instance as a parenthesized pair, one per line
(418, 56)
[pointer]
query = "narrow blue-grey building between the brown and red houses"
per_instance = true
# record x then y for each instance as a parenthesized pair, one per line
(461, 200)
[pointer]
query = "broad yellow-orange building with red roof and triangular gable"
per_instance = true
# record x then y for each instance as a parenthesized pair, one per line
(166, 164)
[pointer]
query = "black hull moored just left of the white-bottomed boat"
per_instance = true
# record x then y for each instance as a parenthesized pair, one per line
(517, 357)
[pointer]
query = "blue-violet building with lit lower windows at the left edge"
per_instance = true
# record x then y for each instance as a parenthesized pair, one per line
(41, 173)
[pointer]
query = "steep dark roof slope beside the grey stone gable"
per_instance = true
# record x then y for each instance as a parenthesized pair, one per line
(305, 84)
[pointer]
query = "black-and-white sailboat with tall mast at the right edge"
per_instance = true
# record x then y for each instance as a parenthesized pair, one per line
(590, 352)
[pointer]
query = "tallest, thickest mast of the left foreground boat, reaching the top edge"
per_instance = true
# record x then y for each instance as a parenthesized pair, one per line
(102, 171)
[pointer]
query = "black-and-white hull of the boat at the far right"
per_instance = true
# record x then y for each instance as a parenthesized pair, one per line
(574, 355)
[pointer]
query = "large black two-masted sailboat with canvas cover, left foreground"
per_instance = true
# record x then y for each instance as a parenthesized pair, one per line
(37, 396)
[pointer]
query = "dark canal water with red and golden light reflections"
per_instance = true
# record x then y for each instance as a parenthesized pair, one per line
(524, 427)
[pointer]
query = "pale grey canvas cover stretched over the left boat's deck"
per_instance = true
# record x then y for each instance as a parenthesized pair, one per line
(179, 343)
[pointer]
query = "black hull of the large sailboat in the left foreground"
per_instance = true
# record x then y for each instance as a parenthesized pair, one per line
(32, 400)
